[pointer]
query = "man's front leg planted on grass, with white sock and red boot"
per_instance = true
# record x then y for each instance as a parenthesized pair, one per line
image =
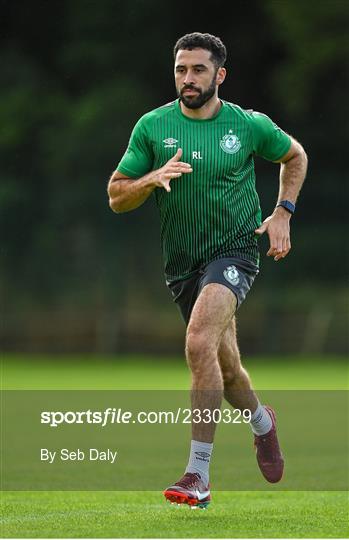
(211, 316)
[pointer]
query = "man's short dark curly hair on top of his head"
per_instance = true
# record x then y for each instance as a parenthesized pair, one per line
(211, 43)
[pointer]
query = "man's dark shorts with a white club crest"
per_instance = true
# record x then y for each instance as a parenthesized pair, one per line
(236, 274)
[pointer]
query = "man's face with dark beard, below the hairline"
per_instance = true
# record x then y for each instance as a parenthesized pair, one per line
(196, 77)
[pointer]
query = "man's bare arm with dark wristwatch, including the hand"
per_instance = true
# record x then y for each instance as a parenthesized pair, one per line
(293, 168)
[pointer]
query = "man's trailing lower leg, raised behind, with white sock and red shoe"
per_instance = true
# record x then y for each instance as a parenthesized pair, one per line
(239, 393)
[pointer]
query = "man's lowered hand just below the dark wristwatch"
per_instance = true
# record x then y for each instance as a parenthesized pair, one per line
(278, 228)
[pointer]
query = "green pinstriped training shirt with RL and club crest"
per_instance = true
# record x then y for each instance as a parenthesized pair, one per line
(212, 212)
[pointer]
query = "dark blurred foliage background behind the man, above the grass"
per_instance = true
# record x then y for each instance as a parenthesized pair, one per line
(75, 76)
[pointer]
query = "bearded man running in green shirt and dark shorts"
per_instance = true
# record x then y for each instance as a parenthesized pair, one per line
(196, 154)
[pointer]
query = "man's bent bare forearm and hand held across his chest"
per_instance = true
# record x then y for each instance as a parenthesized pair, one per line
(127, 194)
